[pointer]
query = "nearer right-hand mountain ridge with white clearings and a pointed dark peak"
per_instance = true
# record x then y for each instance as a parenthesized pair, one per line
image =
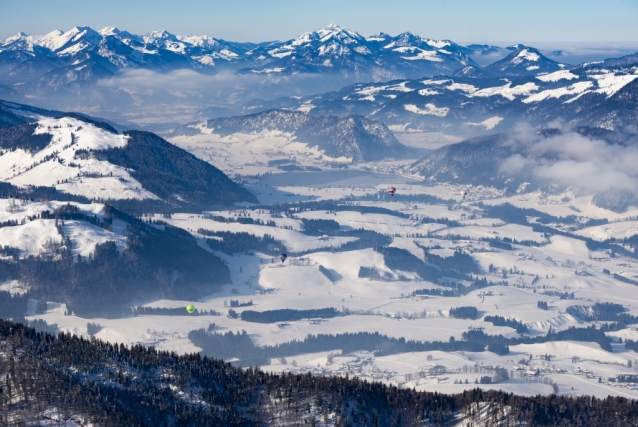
(601, 94)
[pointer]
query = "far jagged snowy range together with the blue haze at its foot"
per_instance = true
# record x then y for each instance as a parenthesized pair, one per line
(112, 73)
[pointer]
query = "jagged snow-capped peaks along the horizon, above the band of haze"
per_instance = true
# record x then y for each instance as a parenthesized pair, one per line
(332, 48)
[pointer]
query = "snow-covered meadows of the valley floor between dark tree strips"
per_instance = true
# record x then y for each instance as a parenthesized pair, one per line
(389, 306)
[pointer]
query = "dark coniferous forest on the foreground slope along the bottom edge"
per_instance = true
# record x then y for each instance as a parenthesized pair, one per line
(66, 378)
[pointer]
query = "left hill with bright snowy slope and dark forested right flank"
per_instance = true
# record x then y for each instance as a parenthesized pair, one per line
(83, 160)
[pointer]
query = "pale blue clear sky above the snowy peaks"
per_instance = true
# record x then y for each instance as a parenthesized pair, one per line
(464, 21)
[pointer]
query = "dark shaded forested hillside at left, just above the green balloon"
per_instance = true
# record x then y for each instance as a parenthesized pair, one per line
(158, 262)
